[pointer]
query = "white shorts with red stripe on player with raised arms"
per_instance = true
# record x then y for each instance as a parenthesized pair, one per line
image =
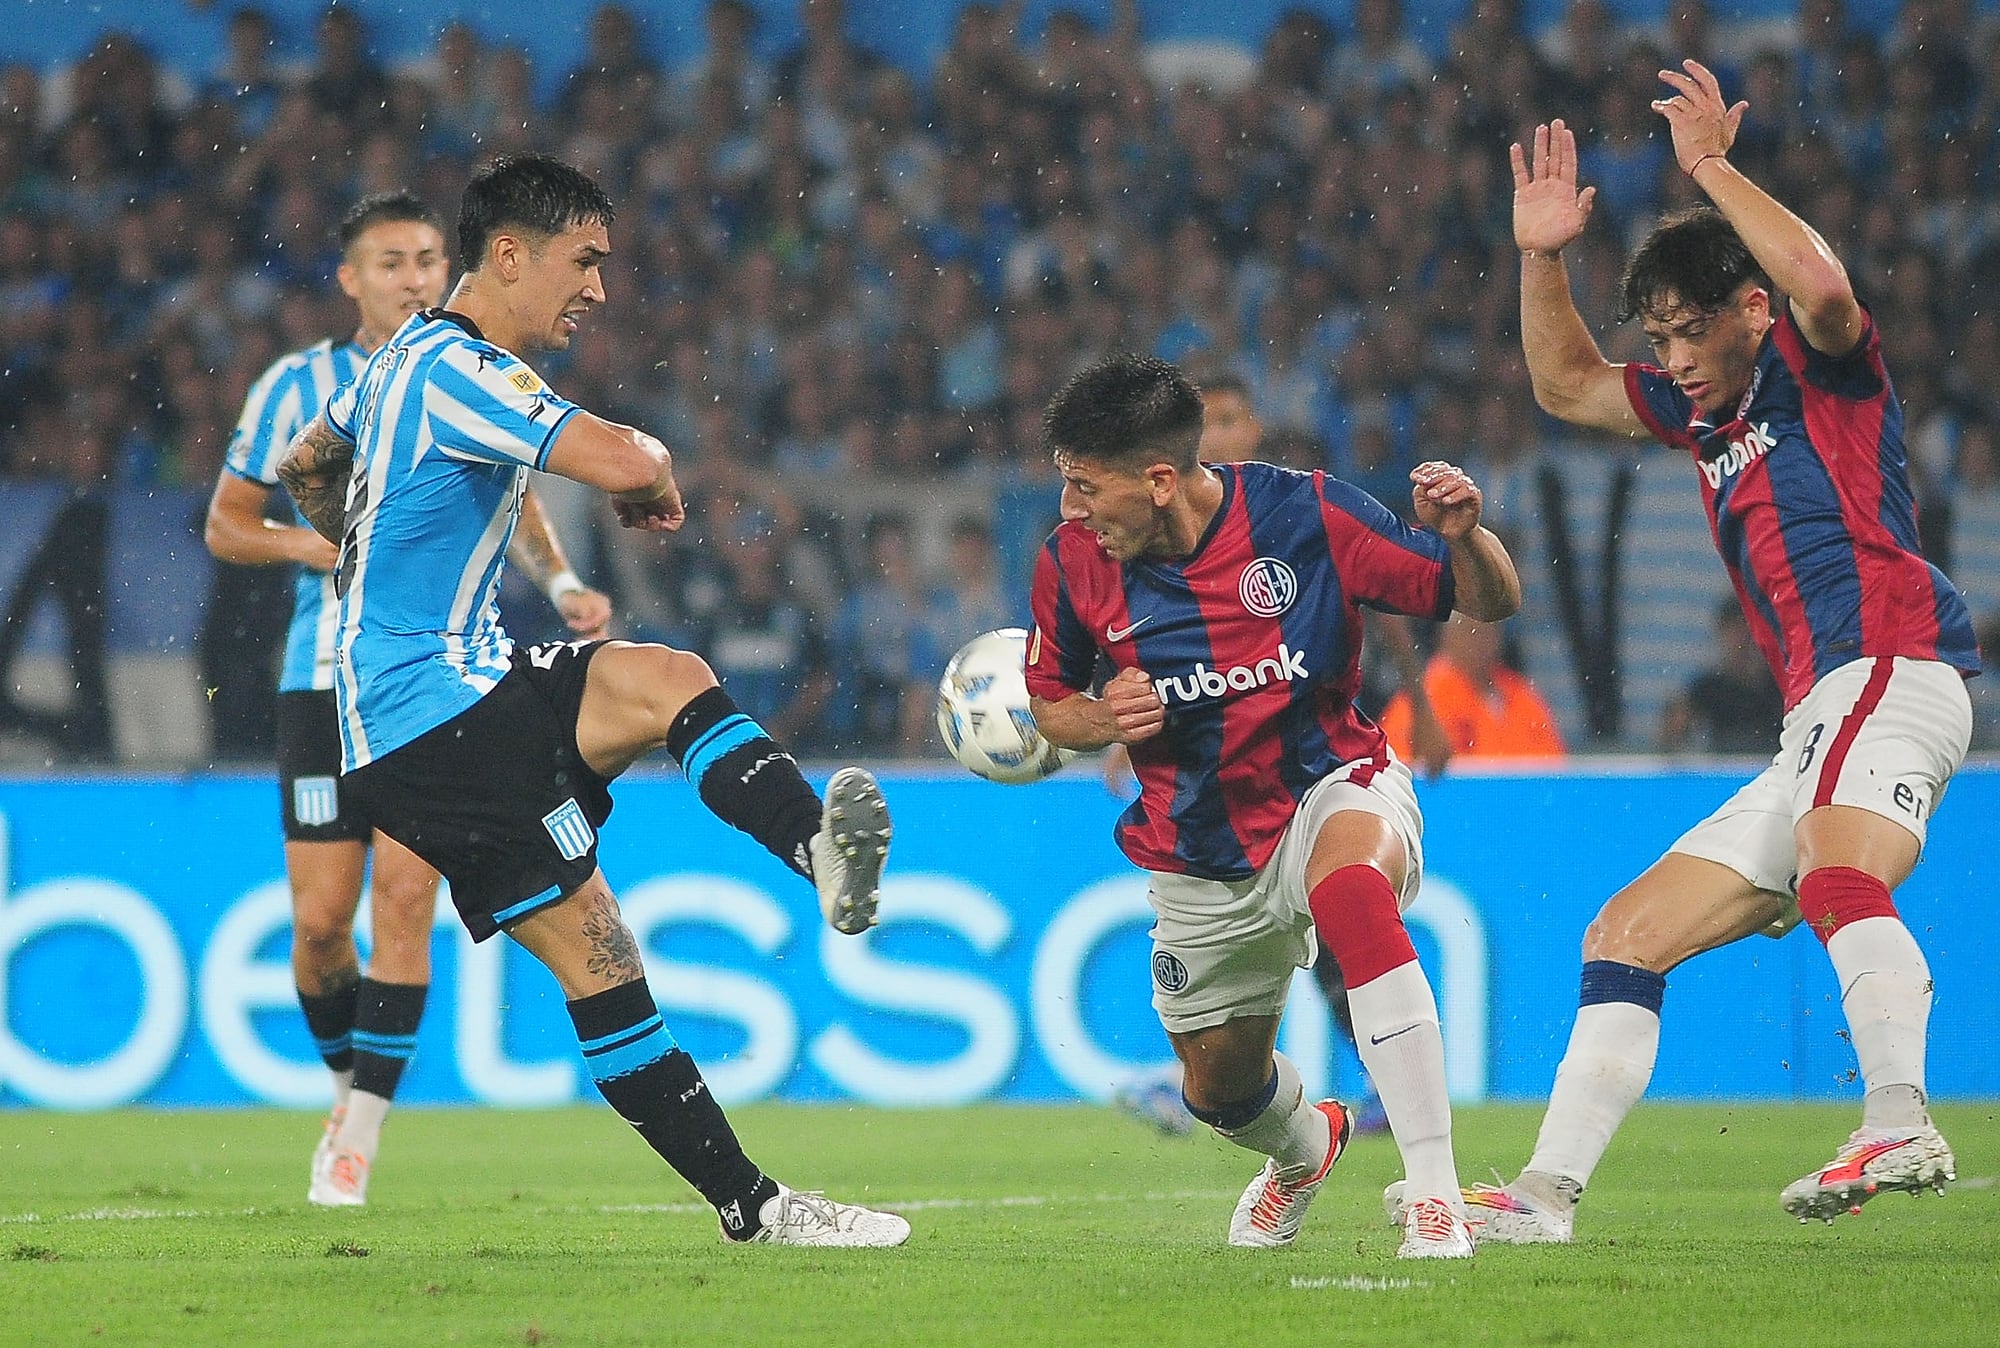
(1883, 735)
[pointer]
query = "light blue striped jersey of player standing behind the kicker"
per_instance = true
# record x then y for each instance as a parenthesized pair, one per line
(281, 403)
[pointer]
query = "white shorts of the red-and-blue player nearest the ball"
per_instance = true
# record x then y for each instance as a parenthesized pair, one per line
(1225, 949)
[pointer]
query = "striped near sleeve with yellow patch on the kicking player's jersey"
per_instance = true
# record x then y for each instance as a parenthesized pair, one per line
(489, 407)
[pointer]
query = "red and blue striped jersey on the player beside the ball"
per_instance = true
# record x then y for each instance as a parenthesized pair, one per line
(1253, 645)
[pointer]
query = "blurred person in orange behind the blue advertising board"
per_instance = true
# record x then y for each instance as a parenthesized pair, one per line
(1489, 711)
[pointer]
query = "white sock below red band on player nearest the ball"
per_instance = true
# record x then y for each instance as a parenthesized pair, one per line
(1401, 1045)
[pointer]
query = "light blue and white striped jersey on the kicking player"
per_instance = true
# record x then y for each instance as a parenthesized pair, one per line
(445, 427)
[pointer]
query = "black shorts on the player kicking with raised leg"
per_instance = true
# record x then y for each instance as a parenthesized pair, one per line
(499, 799)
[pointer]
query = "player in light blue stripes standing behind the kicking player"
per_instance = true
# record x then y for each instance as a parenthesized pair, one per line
(393, 263)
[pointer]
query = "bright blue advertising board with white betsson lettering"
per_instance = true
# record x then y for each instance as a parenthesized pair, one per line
(145, 925)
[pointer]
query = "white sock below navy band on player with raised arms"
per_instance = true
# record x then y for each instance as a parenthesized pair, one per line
(1603, 1075)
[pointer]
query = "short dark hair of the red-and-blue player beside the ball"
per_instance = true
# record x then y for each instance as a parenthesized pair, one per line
(1123, 411)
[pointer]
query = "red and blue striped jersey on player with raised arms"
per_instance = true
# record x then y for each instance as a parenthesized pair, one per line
(1809, 503)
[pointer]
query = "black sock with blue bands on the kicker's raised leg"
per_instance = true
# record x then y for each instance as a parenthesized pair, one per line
(741, 773)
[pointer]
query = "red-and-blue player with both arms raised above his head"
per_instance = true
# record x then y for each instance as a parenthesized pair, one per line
(1797, 441)
